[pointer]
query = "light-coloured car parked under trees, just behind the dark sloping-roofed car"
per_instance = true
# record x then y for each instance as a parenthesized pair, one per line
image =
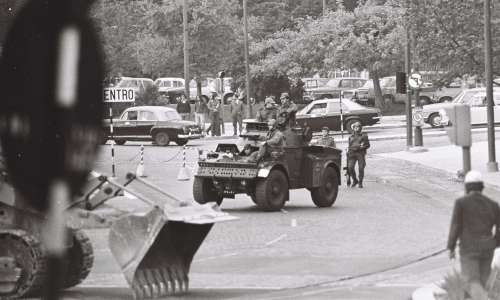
(322, 88)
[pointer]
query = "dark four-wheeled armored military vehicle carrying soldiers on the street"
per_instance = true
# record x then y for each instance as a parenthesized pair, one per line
(227, 171)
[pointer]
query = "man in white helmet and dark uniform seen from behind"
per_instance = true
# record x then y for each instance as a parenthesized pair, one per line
(476, 224)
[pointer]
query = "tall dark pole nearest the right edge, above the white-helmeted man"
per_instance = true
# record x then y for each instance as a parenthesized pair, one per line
(492, 164)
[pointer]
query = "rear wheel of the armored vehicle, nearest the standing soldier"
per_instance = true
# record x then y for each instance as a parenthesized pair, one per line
(326, 194)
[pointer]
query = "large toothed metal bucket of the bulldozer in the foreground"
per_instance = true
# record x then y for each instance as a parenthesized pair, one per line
(155, 249)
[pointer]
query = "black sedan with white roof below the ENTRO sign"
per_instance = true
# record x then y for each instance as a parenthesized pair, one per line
(151, 123)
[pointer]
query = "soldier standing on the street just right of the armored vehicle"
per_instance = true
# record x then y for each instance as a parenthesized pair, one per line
(358, 143)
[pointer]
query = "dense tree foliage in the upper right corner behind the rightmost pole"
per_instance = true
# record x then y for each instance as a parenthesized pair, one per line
(449, 36)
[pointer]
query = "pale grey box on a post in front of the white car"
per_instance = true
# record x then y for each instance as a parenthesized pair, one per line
(457, 124)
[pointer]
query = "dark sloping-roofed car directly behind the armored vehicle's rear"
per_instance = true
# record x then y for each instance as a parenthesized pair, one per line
(328, 112)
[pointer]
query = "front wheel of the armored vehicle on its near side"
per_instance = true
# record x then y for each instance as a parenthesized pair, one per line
(272, 192)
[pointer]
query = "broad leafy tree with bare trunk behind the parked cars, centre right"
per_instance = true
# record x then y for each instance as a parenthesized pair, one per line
(370, 38)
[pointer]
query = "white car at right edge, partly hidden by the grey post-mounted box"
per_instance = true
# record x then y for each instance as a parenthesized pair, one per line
(475, 98)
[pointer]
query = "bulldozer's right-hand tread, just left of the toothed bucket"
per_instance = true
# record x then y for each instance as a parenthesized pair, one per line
(80, 259)
